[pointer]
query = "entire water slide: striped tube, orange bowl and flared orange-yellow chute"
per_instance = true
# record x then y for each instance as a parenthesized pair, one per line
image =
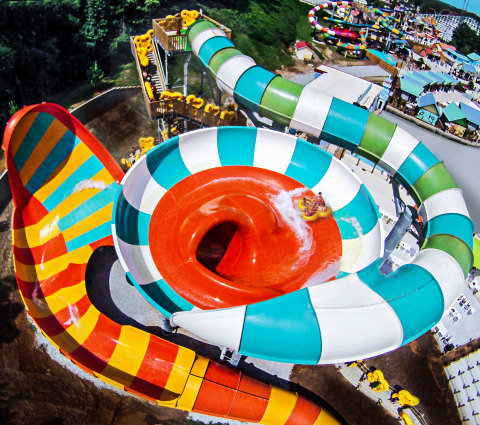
(63, 212)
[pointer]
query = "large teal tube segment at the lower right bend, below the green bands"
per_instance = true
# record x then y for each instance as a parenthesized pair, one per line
(413, 294)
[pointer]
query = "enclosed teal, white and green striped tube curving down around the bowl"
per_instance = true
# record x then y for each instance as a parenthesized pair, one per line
(364, 313)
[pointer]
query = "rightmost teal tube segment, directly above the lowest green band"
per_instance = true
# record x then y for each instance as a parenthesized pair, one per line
(451, 224)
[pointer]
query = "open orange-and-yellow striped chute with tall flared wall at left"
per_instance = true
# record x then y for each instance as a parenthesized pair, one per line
(64, 184)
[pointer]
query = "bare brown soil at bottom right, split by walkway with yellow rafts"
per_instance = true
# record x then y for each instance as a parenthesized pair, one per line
(416, 367)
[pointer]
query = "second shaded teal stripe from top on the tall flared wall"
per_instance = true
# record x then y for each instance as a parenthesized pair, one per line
(56, 156)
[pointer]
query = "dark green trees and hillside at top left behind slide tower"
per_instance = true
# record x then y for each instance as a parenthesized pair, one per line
(52, 46)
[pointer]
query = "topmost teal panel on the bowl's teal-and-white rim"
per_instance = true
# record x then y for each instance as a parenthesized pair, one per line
(236, 145)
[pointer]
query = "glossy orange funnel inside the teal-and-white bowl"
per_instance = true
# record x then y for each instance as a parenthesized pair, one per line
(255, 265)
